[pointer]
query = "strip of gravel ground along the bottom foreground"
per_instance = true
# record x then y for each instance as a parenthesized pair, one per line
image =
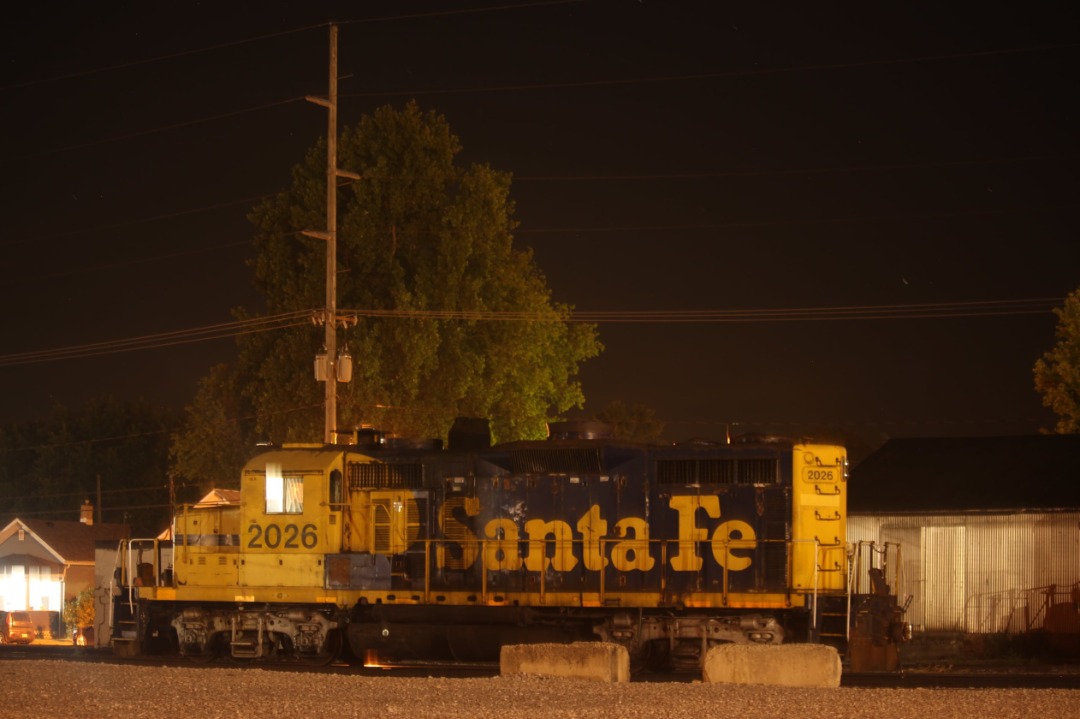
(35, 688)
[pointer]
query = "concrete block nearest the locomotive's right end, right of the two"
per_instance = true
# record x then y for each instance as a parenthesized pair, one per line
(782, 666)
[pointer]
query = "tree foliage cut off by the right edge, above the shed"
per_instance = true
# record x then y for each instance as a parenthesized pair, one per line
(1058, 372)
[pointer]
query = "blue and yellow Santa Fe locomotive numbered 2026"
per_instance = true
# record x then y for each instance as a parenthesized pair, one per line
(410, 551)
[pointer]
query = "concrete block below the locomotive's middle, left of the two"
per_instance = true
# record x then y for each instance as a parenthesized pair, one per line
(583, 660)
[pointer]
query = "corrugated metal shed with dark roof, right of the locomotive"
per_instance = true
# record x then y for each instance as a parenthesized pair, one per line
(989, 530)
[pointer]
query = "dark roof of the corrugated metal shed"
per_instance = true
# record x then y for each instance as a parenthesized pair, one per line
(969, 474)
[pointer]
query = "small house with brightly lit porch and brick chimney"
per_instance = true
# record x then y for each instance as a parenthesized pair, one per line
(45, 563)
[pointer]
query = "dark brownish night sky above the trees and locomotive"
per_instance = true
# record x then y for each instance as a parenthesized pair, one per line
(679, 157)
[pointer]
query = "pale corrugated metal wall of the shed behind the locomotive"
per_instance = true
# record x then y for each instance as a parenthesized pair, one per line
(979, 574)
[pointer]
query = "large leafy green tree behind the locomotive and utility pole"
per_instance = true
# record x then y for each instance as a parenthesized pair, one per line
(453, 319)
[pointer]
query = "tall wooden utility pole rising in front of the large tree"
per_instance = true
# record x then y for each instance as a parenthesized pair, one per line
(330, 314)
